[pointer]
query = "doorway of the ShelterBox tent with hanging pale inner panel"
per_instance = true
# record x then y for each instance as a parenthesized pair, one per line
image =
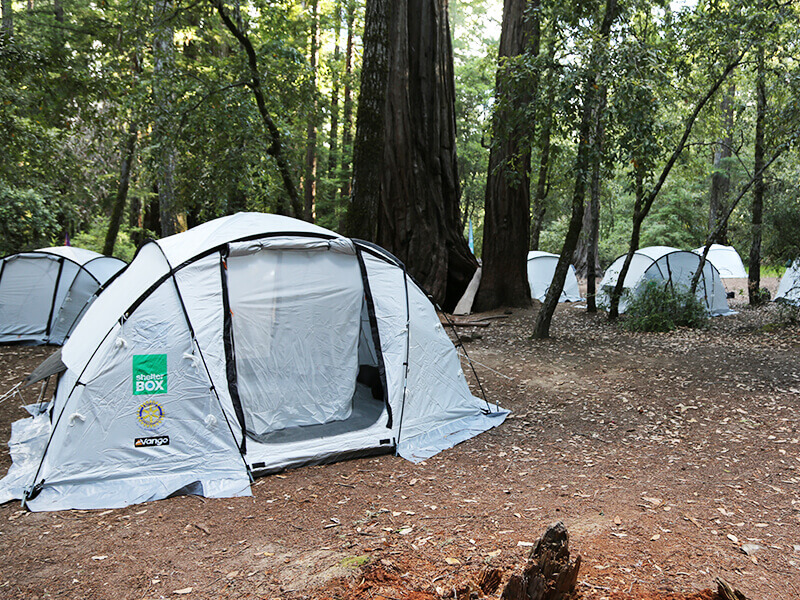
(296, 320)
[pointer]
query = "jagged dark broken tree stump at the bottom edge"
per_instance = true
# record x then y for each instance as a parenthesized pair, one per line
(549, 574)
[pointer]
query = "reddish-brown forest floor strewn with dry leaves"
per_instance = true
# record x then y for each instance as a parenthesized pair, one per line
(671, 458)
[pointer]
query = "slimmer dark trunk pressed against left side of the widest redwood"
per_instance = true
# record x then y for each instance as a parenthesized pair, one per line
(368, 150)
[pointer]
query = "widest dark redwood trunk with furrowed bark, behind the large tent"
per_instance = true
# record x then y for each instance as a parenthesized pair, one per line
(419, 218)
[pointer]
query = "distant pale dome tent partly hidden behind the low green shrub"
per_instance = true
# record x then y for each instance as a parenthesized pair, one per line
(662, 263)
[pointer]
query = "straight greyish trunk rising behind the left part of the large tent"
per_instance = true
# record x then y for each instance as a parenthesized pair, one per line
(163, 124)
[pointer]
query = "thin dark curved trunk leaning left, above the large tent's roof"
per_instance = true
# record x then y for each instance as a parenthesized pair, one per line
(276, 148)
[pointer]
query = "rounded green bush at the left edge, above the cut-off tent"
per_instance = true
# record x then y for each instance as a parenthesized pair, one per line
(26, 220)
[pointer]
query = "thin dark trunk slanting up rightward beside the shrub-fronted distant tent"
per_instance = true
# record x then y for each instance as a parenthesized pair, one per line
(641, 210)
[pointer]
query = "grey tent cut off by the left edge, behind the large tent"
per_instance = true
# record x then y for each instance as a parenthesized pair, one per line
(43, 293)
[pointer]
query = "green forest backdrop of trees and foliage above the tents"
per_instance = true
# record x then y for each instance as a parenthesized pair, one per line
(123, 120)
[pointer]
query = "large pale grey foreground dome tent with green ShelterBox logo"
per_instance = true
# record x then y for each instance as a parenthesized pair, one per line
(246, 345)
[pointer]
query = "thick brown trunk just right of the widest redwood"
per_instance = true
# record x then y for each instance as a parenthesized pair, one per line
(506, 228)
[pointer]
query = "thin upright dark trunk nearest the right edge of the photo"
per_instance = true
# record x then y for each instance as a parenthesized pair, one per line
(754, 275)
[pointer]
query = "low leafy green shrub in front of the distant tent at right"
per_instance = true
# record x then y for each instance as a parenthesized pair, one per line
(661, 306)
